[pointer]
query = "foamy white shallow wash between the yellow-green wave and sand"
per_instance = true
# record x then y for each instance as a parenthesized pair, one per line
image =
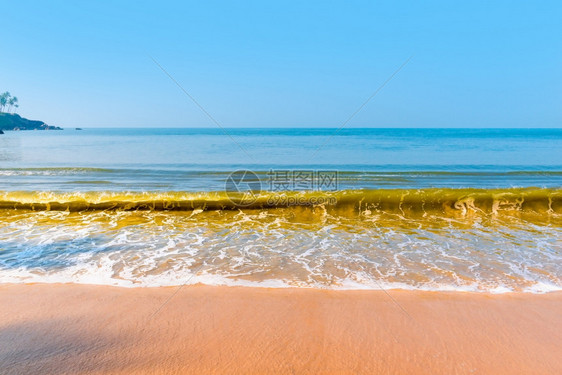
(136, 249)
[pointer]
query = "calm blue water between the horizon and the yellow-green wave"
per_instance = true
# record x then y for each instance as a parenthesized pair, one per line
(182, 159)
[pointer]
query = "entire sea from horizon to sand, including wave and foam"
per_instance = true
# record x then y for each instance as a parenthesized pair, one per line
(429, 209)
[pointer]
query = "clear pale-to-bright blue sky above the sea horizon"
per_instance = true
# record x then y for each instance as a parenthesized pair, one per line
(283, 63)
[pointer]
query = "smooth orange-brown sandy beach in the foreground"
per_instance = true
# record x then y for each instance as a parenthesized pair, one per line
(82, 329)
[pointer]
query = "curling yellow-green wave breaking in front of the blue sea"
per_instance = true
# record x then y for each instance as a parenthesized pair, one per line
(446, 200)
